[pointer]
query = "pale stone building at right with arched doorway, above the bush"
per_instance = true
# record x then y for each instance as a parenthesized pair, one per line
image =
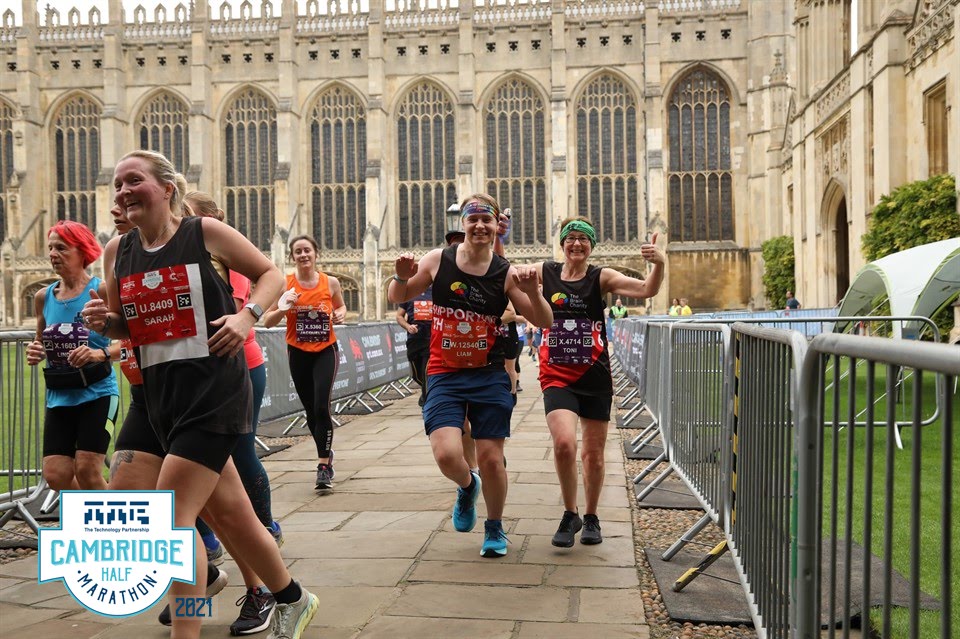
(886, 116)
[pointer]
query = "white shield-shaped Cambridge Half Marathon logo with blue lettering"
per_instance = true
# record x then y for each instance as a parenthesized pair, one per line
(116, 550)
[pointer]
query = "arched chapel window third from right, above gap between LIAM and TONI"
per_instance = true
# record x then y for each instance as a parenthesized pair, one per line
(513, 123)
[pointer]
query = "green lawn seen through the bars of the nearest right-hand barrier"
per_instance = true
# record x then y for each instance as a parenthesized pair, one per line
(838, 443)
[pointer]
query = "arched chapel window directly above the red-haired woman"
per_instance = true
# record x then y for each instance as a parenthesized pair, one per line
(76, 152)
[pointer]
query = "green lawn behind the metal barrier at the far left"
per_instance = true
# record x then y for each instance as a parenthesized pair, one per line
(22, 393)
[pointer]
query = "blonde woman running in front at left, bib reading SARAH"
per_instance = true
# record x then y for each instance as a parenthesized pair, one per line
(186, 330)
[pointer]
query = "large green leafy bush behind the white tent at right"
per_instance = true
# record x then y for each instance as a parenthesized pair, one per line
(913, 214)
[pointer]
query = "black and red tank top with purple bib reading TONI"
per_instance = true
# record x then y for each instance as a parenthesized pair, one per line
(573, 352)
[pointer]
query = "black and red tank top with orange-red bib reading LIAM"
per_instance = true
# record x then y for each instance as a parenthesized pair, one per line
(467, 332)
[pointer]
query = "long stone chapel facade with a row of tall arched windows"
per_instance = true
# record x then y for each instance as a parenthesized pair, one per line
(362, 125)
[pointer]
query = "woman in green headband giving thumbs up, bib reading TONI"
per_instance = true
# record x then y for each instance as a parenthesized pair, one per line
(575, 367)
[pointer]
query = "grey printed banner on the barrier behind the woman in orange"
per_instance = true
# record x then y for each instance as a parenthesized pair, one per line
(370, 356)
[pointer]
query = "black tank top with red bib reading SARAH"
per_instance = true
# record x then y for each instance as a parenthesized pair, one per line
(169, 297)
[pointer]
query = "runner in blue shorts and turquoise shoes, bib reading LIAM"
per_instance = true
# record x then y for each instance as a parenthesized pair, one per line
(465, 372)
